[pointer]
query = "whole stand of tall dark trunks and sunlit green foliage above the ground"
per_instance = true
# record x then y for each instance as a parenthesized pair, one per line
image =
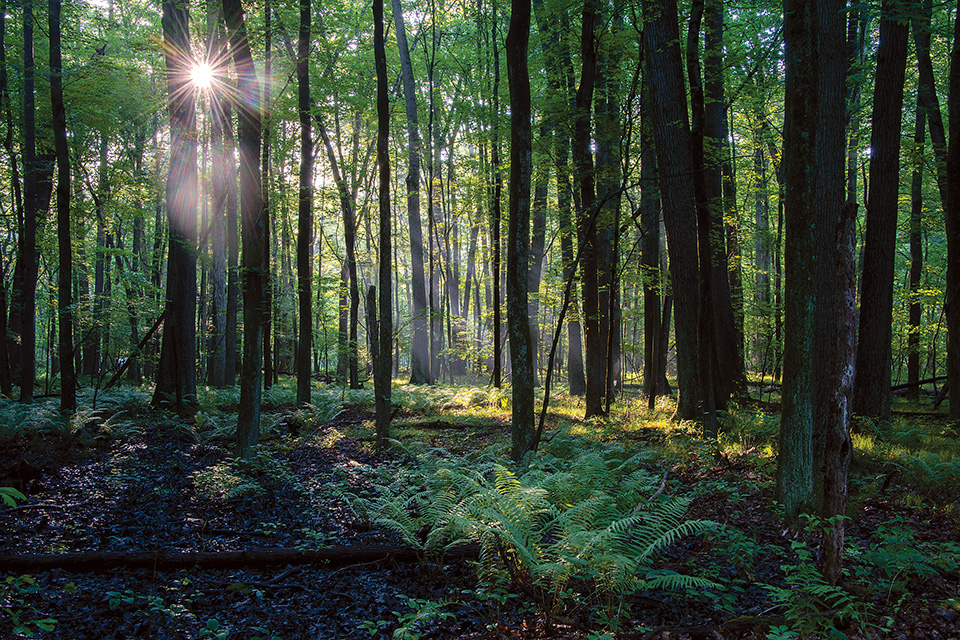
(681, 192)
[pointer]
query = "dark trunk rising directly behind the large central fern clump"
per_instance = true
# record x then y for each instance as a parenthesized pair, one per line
(518, 230)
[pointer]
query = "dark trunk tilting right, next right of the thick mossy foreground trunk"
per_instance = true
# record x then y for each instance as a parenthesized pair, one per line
(872, 395)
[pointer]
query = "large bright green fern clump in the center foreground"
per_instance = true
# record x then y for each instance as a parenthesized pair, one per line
(595, 527)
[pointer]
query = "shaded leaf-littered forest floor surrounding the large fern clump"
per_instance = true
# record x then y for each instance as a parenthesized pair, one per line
(125, 478)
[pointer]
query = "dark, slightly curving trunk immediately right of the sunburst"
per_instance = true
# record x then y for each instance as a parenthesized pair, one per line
(253, 216)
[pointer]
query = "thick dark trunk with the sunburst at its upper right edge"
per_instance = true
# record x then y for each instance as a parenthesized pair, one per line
(177, 374)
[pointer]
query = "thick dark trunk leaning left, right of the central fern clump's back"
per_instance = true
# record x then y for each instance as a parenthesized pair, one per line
(671, 133)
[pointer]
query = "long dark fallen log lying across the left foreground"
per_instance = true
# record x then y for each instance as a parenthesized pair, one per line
(328, 557)
